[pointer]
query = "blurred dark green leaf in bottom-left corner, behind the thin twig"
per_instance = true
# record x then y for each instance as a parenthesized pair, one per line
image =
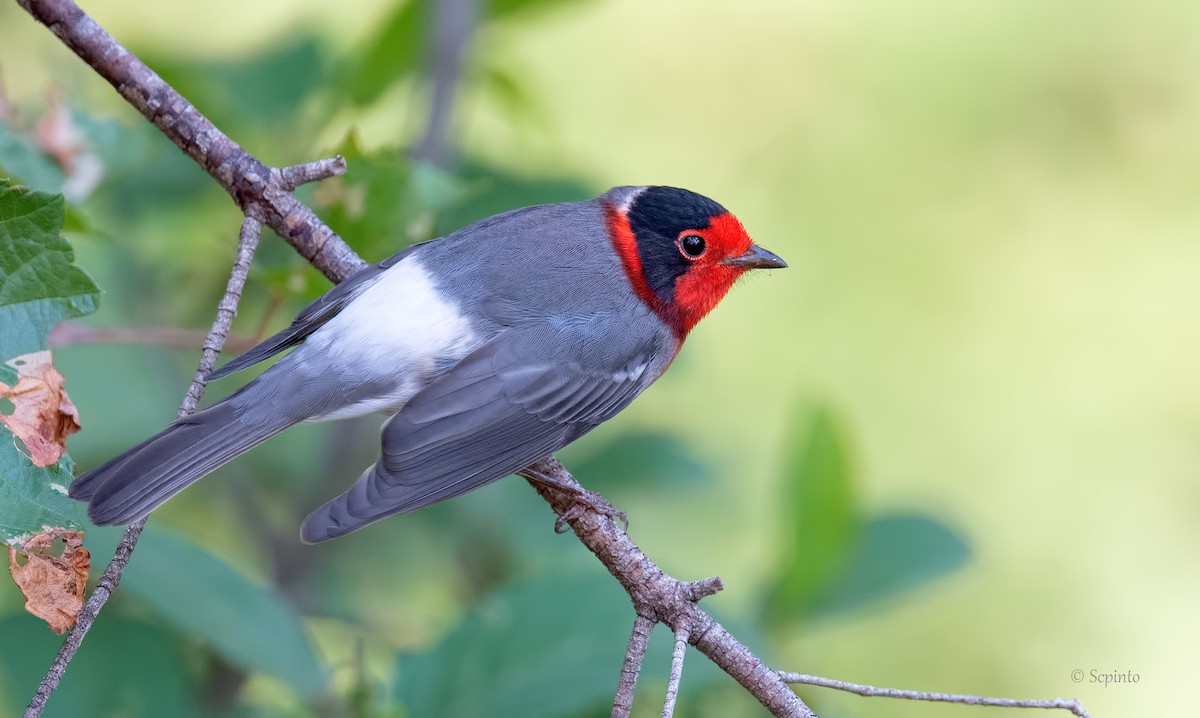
(125, 668)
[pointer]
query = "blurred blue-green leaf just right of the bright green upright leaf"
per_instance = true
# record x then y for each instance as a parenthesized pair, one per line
(898, 553)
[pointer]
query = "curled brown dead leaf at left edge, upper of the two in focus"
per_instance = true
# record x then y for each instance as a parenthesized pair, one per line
(44, 416)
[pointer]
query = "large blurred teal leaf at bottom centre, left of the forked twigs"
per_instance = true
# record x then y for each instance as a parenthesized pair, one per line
(548, 648)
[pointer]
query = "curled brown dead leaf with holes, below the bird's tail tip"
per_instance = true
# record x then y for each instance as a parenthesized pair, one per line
(53, 585)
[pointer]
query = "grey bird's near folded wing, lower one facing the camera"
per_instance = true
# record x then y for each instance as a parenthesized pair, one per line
(519, 398)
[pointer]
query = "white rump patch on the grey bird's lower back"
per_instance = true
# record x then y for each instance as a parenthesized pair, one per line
(398, 332)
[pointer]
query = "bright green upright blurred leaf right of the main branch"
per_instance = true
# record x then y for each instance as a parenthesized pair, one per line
(819, 506)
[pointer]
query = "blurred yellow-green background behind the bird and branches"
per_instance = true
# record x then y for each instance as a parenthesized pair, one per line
(955, 447)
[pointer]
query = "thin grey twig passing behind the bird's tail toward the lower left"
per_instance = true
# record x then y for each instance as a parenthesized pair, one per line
(251, 230)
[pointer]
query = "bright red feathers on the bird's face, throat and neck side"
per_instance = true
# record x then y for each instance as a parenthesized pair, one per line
(701, 288)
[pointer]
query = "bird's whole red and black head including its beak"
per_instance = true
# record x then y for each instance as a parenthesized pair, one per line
(682, 253)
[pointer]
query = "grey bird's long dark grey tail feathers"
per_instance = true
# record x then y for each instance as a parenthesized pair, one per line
(137, 482)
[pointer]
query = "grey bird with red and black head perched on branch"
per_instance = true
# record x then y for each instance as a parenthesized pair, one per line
(491, 349)
